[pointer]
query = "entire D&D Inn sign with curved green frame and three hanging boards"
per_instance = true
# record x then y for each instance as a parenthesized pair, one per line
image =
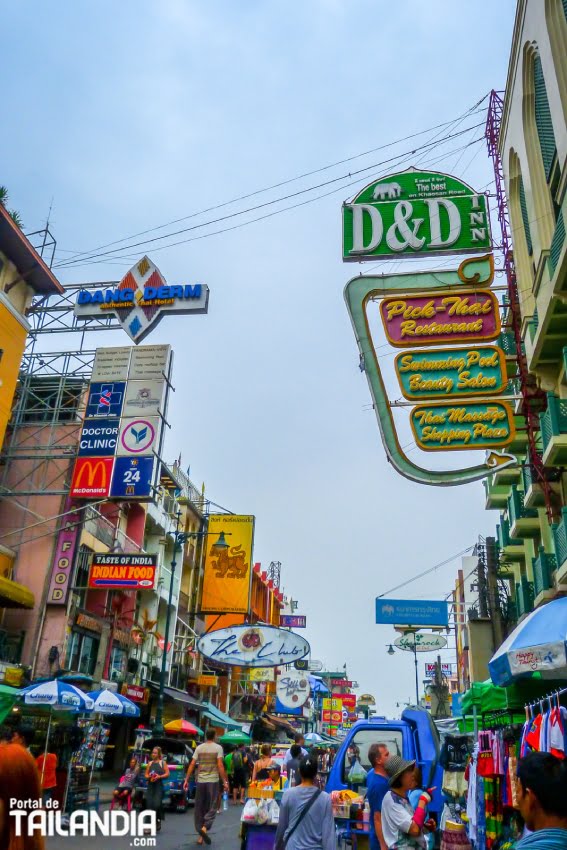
(441, 320)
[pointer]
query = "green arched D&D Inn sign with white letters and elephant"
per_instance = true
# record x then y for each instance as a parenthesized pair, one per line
(415, 212)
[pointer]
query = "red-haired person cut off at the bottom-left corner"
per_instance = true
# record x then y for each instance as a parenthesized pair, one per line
(19, 780)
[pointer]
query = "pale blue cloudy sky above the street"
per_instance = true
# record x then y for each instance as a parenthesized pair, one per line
(124, 116)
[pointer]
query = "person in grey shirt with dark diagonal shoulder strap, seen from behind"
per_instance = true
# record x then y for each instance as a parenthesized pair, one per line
(306, 815)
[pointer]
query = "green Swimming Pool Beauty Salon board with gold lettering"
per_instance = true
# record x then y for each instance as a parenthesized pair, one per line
(434, 374)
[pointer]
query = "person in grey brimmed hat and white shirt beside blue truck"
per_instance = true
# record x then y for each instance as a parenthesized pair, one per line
(402, 826)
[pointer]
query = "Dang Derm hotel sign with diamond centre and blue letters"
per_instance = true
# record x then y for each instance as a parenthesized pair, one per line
(140, 300)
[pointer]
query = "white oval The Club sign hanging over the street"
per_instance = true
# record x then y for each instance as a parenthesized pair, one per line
(253, 646)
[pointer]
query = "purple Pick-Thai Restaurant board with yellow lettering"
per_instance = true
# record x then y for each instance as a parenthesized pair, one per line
(441, 318)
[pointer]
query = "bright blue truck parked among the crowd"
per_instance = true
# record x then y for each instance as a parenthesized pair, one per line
(413, 736)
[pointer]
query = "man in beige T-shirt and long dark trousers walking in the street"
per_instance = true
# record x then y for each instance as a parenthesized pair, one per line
(208, 762)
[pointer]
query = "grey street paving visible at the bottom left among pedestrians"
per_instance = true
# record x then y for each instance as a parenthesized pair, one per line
(177, 833)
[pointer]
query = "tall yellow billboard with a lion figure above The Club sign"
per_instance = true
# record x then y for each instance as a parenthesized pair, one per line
(226, 583)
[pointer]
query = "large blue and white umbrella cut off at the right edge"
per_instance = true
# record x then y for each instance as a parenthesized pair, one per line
(537, 645)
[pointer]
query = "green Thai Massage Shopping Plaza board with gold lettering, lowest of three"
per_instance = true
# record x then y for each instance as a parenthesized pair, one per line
(462, 425)
